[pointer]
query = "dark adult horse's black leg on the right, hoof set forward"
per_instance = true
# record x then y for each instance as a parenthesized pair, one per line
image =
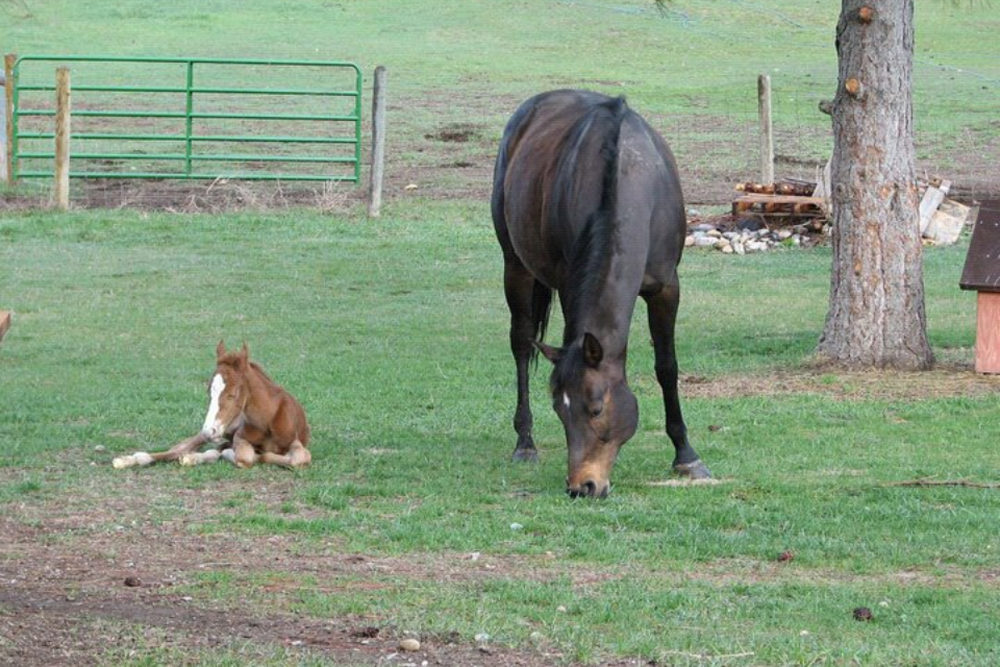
(662, 312)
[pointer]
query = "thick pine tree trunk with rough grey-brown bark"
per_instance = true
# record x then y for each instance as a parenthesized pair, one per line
(876, 316)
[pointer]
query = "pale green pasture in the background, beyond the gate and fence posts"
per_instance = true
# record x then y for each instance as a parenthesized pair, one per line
(465, 66)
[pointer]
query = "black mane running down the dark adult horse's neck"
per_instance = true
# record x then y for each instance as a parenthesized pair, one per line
(590, 258)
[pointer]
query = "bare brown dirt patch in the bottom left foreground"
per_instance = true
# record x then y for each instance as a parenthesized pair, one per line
(94, 576)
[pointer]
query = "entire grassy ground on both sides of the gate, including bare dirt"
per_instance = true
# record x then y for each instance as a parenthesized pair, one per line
(392, 333)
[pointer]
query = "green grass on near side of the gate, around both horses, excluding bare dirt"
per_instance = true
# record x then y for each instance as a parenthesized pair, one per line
(393, 335)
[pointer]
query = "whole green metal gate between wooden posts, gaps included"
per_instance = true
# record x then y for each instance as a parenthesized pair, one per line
(181, 118)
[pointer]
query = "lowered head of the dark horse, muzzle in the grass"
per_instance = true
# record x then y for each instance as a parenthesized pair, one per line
(597, 409)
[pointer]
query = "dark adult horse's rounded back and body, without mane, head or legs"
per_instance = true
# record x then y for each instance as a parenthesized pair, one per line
(551, 172)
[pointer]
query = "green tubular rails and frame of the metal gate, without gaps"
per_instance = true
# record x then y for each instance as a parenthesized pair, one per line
(338, 131)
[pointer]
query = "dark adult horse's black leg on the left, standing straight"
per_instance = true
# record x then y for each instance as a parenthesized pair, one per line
(519, 287)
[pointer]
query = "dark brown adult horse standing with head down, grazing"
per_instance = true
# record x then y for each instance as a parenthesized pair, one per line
(587, 202)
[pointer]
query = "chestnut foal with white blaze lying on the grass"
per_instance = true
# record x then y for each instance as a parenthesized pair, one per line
(249, 415)
